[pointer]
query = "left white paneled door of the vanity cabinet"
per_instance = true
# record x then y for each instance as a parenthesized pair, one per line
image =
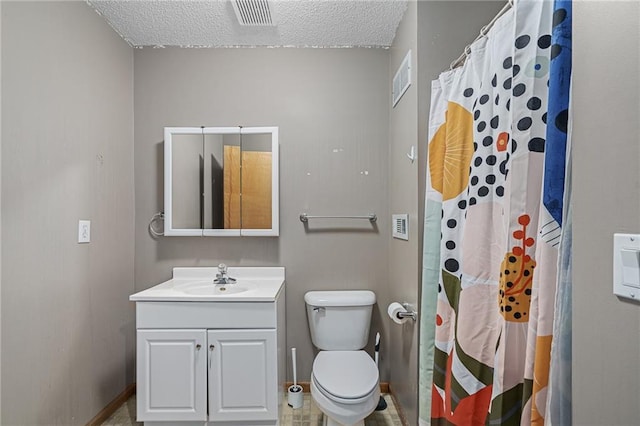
(172, 375)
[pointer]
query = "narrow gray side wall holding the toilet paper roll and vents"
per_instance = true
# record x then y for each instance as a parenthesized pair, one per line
(403, 198)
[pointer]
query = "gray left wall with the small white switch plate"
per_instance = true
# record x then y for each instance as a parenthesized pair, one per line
(67, 154)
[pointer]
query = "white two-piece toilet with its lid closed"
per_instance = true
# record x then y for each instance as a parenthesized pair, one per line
(344, 378)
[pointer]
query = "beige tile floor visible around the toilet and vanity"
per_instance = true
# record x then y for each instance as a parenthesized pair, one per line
(308, 415)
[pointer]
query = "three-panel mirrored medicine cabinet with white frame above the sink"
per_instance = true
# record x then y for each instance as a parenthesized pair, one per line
(221, 181)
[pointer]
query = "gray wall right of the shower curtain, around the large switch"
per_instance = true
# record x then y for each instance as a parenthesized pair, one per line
(606, 190)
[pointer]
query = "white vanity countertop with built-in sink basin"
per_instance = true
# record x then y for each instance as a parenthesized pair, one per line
(253, 284)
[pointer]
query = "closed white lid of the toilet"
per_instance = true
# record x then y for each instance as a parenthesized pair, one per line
(345, 374)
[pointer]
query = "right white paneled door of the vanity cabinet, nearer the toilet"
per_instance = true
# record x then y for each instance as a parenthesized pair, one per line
(243, 375)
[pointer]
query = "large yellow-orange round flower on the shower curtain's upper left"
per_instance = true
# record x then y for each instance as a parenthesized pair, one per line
(450, 152)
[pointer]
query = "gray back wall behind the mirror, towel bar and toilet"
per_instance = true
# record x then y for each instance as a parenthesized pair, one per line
(332, 109)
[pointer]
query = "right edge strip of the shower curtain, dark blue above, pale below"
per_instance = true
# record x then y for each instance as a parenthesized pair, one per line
(558, 181)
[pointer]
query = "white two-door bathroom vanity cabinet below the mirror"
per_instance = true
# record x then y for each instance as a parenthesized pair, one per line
(210, 360)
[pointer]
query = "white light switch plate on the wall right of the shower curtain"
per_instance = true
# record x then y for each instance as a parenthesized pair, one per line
(626, 265)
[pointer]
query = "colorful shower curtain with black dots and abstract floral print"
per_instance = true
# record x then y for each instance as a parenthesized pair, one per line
(493, 223)
